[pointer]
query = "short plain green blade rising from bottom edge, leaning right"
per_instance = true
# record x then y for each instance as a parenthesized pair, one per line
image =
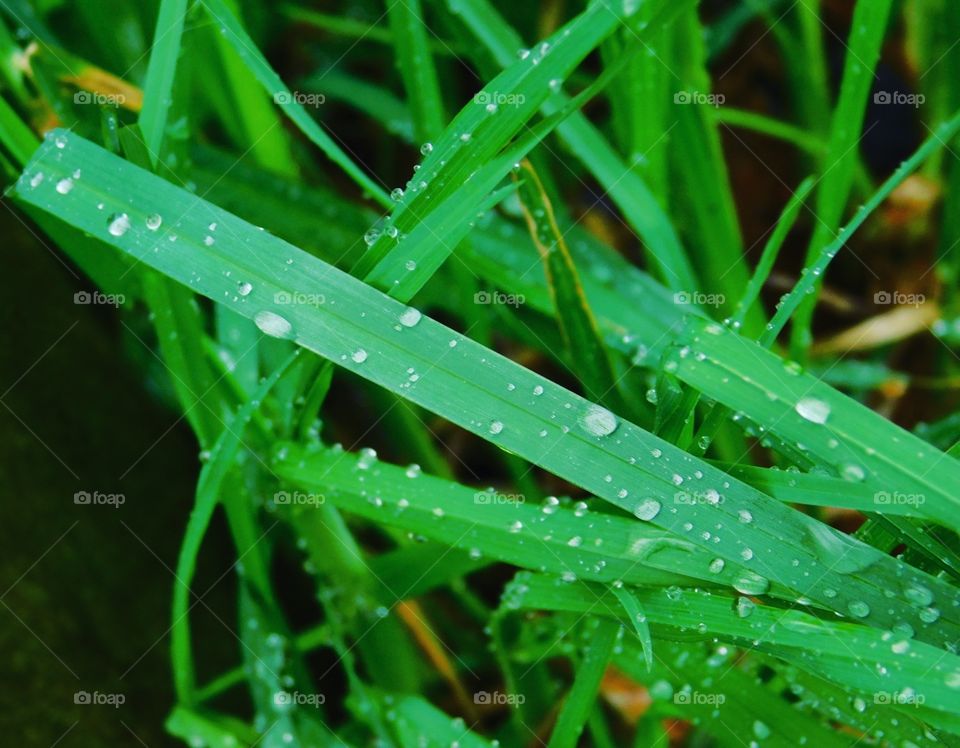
(579, 701)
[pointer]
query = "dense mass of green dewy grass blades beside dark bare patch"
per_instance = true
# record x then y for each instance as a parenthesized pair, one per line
(700, 530)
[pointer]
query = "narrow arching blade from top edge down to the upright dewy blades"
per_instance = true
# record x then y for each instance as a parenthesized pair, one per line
(245, 48)
